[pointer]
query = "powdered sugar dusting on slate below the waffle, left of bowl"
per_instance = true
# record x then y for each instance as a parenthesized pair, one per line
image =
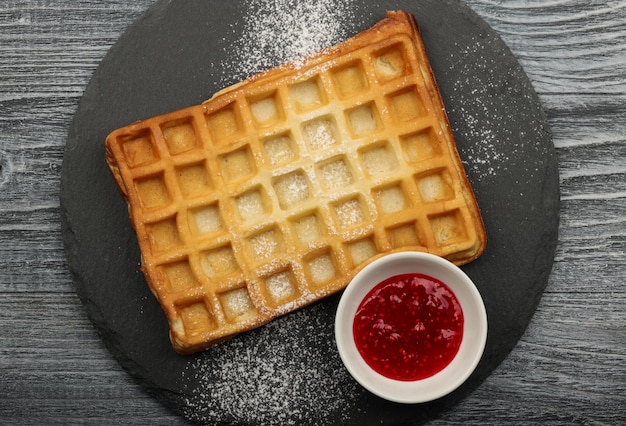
(274, 377)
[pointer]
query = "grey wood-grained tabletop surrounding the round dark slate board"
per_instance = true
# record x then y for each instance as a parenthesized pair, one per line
(569, 367)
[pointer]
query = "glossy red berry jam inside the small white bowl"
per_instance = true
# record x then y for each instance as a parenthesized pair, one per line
(409, 327)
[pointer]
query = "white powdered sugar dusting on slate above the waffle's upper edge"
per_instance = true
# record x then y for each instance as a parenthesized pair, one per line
(278, 31)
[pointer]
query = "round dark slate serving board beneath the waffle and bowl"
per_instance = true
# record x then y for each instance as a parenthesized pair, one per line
(179, 53)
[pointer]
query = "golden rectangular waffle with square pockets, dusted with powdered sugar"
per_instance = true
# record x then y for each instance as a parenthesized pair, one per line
(276, 191)
